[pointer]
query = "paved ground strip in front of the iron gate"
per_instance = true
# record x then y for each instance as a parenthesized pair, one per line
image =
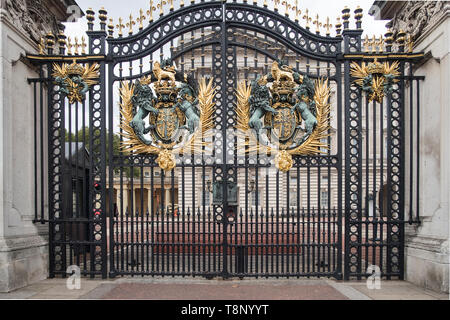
(192, 289)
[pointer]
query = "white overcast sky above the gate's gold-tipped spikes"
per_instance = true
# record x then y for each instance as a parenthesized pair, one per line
(324, 8)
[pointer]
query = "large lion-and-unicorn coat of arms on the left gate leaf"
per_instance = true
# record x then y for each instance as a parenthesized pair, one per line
(180, 116)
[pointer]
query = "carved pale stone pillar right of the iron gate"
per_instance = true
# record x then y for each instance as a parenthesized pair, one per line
(427, 245)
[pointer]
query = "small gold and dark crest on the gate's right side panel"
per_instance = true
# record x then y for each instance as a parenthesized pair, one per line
(376, 79)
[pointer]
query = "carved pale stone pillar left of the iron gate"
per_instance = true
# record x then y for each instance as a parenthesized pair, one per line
(23, 244)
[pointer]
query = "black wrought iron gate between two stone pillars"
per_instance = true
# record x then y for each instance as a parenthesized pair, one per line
(225, 214)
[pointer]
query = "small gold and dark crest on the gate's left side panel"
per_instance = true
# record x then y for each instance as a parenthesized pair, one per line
(75, 80)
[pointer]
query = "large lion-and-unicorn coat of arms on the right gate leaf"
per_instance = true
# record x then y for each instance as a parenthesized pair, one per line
(296, 112)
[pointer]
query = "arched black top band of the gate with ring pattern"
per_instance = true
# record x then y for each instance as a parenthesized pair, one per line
(216, 15)
